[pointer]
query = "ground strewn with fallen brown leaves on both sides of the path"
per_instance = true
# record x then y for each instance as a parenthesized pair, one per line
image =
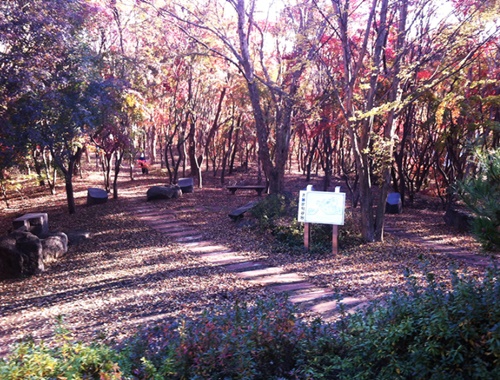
(127, 274)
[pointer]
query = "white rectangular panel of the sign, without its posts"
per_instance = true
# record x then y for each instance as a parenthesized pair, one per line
(321, 207)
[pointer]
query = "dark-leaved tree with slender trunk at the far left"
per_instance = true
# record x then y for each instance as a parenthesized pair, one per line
(51, 85)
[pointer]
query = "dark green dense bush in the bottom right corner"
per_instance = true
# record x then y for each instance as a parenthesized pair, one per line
(428, 333)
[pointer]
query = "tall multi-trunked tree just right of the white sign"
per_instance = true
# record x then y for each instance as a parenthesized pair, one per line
(380, 79)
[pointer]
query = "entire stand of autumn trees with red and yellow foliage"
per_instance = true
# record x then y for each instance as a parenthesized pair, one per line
(389, 95)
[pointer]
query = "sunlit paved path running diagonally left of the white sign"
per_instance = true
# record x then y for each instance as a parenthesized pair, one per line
(305, 295)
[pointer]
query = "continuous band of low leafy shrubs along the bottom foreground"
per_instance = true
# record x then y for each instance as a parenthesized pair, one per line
(420, 332)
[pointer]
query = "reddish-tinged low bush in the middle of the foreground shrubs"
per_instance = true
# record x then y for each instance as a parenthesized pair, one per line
(246, 342)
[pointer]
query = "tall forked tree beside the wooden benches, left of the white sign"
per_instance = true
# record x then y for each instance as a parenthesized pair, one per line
(238, 34)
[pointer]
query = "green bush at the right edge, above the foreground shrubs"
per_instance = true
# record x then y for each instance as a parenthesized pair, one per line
(481, 193)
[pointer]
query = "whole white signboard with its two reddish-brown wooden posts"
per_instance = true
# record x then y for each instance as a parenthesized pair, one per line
(322, 208)
